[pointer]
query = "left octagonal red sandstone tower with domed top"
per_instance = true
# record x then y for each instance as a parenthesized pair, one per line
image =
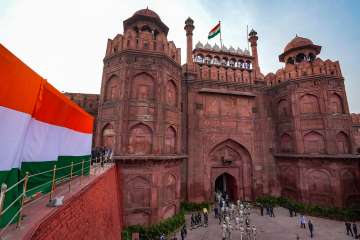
(139, 117)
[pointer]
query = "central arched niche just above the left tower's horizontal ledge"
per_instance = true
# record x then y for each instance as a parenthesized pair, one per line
(140, 140)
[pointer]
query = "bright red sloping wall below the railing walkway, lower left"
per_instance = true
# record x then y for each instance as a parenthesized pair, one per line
(94, 213)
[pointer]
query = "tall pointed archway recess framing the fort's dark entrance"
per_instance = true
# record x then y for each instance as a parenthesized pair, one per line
(229, 165)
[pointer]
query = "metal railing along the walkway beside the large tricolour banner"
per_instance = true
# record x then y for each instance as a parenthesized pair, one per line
(94, 163)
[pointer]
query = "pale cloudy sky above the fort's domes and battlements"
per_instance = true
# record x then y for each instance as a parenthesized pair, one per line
(65, 40)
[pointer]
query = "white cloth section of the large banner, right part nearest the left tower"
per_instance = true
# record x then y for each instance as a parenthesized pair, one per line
(45, 142)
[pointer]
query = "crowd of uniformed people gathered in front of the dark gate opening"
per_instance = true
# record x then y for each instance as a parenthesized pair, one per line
(233, 217)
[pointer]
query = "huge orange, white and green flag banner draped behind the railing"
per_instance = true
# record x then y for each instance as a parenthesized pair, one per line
(39, 127)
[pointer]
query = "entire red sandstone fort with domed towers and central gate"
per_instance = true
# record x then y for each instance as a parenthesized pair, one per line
(180, 132)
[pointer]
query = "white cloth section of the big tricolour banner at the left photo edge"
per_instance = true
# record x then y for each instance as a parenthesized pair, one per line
(13, 126)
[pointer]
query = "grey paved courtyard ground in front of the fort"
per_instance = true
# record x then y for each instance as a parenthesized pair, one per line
(282, 227)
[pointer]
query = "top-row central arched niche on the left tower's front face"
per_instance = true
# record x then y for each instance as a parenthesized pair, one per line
(143, 87)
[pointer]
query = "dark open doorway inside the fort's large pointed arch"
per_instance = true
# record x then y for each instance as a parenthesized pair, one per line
(225, 183)
